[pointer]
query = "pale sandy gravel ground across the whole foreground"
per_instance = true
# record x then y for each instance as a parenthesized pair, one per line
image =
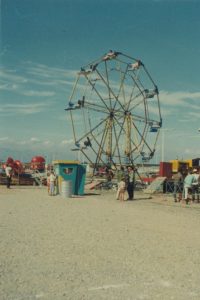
(95, 247)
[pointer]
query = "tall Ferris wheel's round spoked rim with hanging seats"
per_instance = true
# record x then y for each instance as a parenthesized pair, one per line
(115, 111)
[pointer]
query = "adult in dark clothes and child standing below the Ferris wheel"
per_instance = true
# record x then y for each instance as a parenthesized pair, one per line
(126, 182)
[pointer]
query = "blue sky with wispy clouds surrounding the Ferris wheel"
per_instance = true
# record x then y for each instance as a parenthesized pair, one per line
(45, 42)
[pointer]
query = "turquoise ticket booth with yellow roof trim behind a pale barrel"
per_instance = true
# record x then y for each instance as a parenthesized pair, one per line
(71, 171)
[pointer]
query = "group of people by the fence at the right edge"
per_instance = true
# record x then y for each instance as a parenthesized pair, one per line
(187, 185)
